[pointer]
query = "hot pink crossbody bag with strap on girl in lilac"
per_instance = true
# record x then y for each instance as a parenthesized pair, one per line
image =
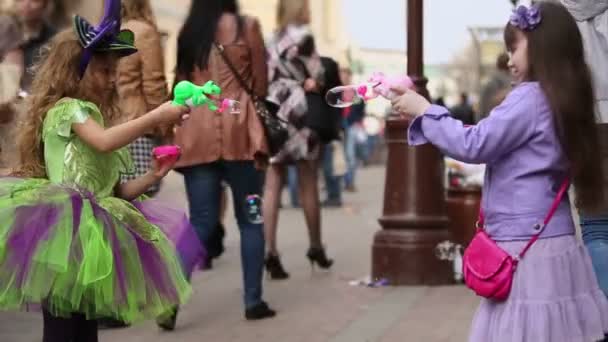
(488, 270)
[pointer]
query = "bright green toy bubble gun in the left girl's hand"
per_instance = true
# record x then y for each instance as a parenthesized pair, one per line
(189, 94)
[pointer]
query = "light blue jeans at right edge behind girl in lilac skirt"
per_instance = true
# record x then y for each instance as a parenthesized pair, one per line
(595, 235)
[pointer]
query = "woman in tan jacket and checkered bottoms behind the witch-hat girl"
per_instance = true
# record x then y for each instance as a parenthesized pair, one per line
(141, 82)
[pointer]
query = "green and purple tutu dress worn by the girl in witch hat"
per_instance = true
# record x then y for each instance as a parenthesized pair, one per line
(68, 245)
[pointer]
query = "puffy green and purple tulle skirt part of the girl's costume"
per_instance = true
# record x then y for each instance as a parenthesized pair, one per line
(70, 252)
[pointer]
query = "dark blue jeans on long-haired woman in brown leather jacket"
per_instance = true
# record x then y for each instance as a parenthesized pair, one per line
(203, 187)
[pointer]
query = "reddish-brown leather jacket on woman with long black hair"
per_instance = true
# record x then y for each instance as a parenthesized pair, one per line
(208, 136)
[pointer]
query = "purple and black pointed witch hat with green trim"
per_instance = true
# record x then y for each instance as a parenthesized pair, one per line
(105, 37)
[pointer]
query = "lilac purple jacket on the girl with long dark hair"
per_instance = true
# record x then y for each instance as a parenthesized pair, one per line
(525, 162)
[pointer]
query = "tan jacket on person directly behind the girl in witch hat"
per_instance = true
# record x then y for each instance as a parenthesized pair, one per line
(141, 81)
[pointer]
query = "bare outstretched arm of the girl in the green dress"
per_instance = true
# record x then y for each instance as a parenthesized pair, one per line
(110, 139)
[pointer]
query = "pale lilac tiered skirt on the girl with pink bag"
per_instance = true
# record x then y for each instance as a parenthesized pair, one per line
(555, 298)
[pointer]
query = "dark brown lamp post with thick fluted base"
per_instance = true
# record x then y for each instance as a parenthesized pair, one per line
(414, 217)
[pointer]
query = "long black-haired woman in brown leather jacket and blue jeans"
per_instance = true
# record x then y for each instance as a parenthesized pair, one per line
(220, 147)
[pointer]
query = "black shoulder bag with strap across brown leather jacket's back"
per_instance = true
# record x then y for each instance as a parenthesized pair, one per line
(275, 129)
